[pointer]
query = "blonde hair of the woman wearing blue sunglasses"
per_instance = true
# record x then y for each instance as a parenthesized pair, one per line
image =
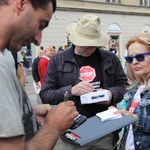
(145, 40)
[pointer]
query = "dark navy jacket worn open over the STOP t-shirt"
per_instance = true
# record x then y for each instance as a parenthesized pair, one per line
(63, 72)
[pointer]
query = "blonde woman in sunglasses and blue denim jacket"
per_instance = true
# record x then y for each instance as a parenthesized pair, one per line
(138, 96)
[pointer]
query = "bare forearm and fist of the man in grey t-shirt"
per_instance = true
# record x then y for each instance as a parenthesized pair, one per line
(57, 121)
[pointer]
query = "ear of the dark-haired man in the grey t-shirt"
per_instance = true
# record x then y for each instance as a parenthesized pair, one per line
(20, 5)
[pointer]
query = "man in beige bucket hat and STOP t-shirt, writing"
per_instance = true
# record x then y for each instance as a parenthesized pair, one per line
(85, 68)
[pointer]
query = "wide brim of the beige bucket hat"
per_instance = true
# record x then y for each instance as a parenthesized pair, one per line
(82, 41)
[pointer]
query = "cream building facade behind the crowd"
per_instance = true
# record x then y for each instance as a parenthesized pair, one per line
(121, 19)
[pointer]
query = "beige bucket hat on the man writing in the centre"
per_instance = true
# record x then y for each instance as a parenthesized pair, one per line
(87, 32)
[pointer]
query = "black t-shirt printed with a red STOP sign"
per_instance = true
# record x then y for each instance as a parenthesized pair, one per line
(91, 63)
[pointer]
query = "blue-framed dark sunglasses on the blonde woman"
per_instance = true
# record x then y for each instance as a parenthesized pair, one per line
(139, 57)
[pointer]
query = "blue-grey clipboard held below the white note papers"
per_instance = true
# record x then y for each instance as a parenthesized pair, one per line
(94, 129)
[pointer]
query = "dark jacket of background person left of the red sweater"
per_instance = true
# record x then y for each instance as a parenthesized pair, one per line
(35, 73)
